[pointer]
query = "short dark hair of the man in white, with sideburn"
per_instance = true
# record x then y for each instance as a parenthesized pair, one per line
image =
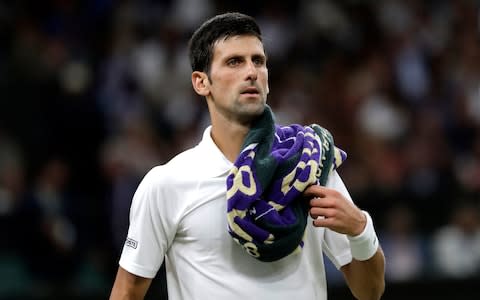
(202, 42)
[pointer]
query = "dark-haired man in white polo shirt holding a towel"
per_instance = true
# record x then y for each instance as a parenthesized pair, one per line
(179, 211)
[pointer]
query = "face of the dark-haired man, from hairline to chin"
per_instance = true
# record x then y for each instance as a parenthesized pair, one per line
(238, 82)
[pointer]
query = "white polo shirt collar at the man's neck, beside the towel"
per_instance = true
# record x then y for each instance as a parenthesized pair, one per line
(218, 164)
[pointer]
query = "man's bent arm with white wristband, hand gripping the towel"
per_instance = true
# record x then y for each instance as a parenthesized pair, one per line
(365, 275)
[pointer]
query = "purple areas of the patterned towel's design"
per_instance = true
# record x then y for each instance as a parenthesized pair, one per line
(289, 141)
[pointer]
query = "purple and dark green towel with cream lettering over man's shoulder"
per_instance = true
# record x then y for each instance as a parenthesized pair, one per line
(266, 212)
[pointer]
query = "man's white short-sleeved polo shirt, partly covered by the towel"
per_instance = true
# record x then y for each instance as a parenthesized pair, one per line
(179, 213)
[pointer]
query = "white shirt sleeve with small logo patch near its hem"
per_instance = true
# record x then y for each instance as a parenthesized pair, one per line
(149, 233)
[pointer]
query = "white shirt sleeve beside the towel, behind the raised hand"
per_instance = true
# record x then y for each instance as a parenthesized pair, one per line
(336, 245)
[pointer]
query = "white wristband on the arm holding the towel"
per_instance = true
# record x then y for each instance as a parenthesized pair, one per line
(364, 245)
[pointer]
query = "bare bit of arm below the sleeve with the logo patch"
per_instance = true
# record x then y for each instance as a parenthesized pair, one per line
(128, 286)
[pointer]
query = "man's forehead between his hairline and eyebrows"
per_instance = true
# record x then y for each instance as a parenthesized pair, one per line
(238, 45)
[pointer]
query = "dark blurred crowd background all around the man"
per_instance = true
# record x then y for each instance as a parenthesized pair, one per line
(94, 93)
